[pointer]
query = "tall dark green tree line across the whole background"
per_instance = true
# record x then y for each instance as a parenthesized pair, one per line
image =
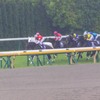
(22, 18)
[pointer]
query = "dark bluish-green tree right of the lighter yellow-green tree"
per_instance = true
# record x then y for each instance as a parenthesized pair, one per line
(89, 14)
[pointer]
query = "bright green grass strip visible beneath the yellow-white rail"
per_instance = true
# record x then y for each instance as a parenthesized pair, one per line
(61, 59)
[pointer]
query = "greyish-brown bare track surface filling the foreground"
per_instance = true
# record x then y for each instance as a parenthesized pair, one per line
(69, 82)
